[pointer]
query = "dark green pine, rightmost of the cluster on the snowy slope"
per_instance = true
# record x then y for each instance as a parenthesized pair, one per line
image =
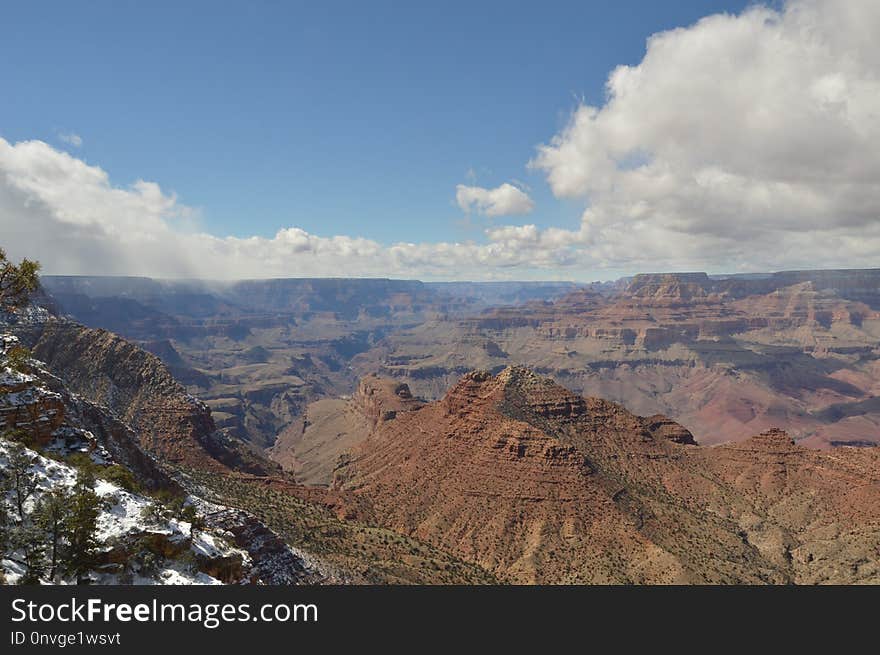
(81, 527)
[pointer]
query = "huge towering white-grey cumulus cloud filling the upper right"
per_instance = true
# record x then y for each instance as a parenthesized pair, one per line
(748, 141)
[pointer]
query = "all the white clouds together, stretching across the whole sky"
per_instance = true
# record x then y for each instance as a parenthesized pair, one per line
(742, 142)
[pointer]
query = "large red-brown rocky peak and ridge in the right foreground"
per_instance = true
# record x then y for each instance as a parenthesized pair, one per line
(537, 484)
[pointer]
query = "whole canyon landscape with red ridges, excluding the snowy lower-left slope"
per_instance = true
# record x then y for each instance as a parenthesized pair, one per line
(665, 428)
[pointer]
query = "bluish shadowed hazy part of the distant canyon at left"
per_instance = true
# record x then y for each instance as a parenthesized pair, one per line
(258, 352)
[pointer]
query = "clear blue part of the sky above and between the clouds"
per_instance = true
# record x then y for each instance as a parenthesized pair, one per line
(340, 118)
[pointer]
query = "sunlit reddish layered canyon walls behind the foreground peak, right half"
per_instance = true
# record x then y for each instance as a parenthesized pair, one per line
(726, 357)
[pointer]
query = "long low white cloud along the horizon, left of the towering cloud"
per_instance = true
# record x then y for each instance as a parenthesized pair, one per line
(66, 213)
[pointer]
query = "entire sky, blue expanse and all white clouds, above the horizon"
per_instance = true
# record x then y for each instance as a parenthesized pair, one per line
(478, 140)
